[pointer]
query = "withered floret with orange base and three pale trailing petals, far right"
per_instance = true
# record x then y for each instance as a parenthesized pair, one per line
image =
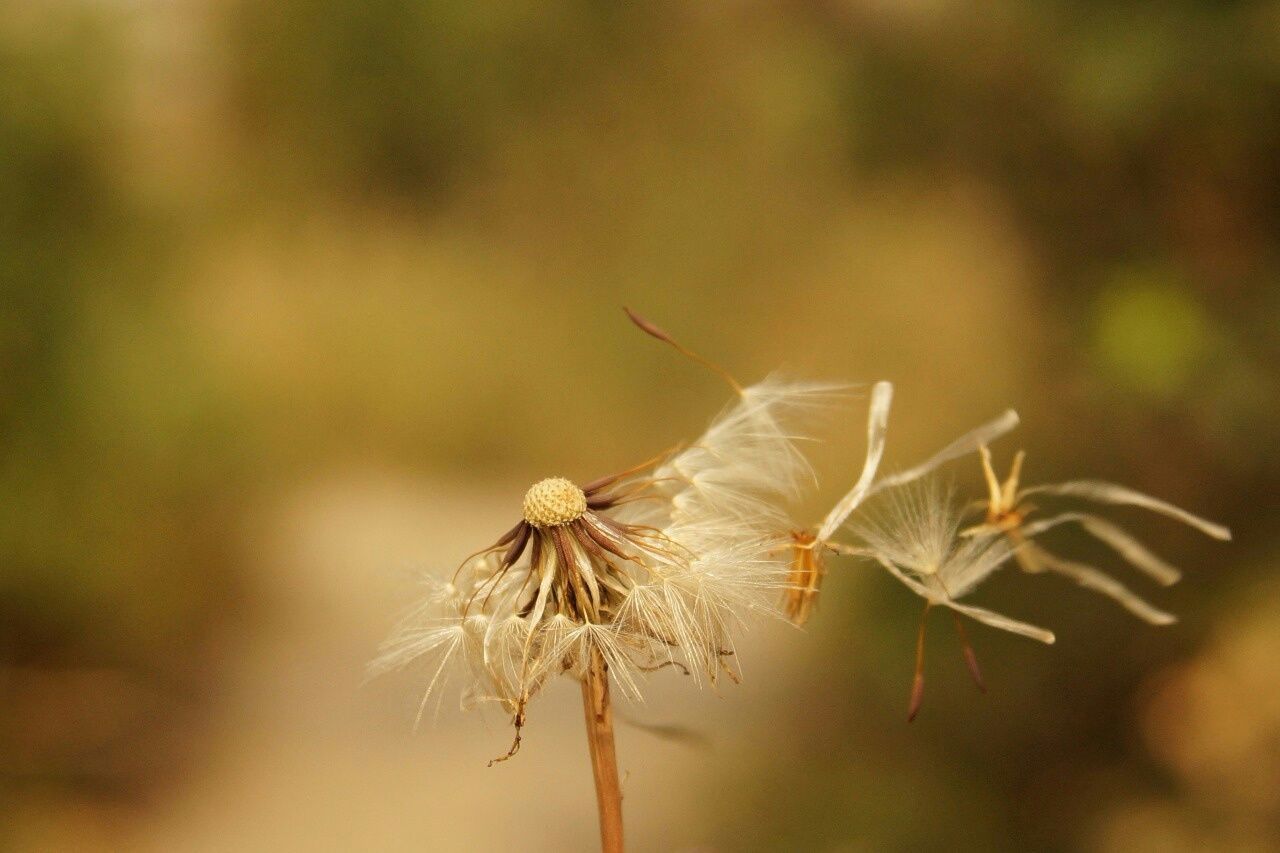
(1008, 513)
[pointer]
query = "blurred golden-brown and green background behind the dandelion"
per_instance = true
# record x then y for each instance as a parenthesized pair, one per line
(300, 297)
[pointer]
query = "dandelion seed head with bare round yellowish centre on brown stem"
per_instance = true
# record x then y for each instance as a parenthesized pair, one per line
(609, 581)
